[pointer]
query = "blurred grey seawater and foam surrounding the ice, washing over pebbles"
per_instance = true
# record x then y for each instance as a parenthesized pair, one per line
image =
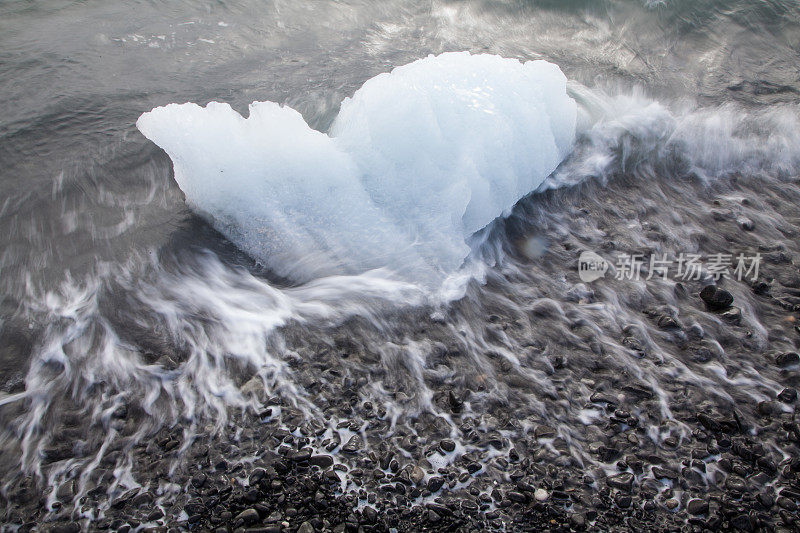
(115, 294)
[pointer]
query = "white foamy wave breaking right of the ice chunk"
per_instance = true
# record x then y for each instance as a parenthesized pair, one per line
(620, 130)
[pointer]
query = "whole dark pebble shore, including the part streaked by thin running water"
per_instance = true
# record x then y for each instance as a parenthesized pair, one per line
(681, 415)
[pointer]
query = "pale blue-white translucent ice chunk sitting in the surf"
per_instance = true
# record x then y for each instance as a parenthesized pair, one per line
(416, 161)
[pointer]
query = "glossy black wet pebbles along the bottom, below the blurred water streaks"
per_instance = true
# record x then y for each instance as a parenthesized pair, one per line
(278, 473)
